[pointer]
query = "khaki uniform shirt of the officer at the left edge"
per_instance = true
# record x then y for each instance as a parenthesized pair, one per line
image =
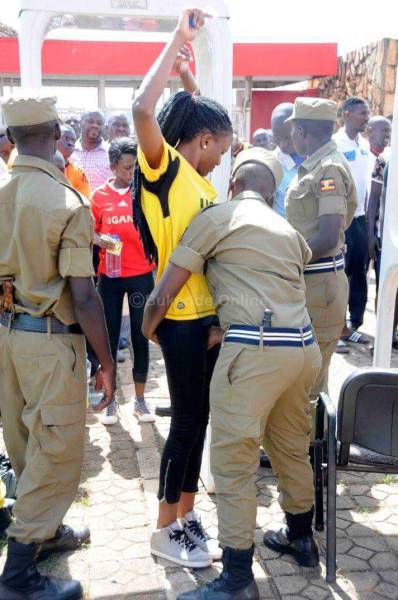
(46, 236)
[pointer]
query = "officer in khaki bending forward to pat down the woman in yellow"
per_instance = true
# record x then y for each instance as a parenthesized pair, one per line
(254, 262)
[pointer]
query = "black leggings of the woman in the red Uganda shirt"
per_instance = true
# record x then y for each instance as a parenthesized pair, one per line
(112, 293)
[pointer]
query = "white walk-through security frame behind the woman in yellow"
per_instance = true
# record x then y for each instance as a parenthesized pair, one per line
(213, 47)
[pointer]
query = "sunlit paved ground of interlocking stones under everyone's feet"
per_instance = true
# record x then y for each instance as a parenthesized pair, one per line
(117, 499)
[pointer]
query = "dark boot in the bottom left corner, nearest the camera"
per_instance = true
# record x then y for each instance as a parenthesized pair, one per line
(22, 581)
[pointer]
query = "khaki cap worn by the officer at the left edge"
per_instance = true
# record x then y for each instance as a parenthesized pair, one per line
(29, 108)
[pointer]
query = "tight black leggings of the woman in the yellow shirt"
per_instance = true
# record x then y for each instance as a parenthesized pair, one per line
(189, 367)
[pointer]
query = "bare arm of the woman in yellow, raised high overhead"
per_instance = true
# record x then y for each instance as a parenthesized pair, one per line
(144, 106)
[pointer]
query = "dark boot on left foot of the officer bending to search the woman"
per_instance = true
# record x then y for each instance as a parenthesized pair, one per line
(236, 581)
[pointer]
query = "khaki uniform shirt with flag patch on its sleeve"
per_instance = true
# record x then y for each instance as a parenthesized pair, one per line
(323, 186)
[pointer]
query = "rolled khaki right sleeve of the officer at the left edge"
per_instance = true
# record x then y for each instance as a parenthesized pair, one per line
(75, 254)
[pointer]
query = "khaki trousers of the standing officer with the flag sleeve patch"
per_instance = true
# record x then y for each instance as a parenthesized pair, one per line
(327, 299)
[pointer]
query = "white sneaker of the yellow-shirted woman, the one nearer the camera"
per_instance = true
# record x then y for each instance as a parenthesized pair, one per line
(173, 544)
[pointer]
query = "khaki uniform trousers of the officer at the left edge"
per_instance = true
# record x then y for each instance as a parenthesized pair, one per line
(43, 402)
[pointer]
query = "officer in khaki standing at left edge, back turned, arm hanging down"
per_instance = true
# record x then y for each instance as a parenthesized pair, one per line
(47, 301)
